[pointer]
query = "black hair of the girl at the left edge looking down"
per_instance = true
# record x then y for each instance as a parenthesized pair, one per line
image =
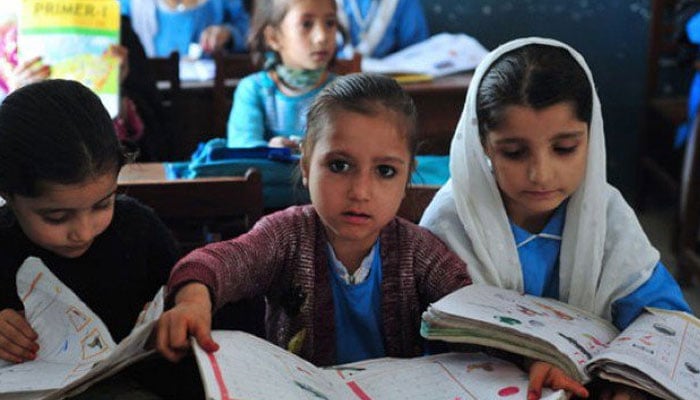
(54, 131)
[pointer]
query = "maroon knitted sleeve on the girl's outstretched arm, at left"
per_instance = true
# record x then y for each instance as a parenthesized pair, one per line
(243, 267)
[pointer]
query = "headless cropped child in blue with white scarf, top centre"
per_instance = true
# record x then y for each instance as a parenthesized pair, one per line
(378, 28)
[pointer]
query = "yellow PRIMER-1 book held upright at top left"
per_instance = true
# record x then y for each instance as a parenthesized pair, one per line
(74, 38)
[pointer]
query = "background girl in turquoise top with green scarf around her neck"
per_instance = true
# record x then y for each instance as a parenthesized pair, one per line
(296, 39)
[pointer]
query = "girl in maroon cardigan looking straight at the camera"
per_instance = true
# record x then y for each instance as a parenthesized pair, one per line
(345, 279)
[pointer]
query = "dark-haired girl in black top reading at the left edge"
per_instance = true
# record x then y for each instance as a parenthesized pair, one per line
(59, 160)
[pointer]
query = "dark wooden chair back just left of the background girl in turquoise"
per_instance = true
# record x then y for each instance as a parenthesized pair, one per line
(229, 69)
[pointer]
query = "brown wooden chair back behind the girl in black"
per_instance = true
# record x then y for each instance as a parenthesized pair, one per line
(201, 210)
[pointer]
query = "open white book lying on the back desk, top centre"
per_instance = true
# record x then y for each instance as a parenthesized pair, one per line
(439, 55)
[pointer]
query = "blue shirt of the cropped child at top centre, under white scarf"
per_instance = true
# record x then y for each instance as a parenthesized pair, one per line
(407, 26)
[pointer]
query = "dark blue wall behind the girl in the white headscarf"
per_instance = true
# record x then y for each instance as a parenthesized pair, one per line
(611, 35)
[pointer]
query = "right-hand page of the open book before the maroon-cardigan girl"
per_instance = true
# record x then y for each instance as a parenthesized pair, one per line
(464, 376)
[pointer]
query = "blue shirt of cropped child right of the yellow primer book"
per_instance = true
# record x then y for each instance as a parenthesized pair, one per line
(176, 30)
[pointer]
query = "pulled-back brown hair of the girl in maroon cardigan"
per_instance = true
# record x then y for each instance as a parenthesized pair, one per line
(365, 94)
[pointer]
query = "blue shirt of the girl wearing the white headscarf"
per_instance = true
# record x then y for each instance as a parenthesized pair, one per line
(539, 258)
